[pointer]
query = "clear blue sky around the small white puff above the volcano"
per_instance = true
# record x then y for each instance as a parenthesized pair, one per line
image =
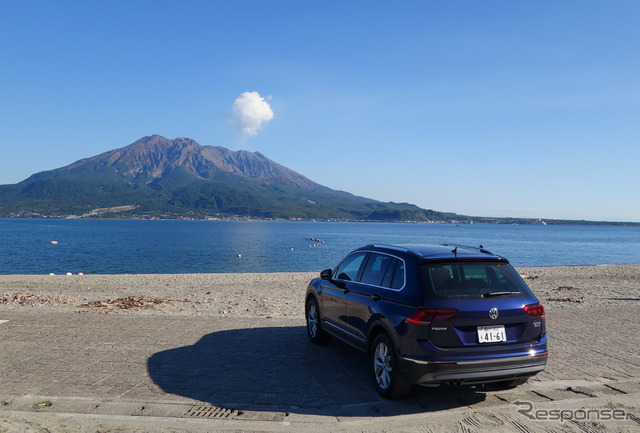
(500, 108)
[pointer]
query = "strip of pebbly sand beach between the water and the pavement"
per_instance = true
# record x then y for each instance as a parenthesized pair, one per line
(273, 294)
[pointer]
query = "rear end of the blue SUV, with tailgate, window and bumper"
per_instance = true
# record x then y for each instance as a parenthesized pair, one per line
(480, 323)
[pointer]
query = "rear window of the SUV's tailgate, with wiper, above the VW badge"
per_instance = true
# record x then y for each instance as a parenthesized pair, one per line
(472, 280)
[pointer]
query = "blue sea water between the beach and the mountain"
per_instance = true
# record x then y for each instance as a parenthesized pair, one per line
(43, 246)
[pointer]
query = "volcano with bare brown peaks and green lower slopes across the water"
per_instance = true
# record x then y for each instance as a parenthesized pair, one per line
(156, 177)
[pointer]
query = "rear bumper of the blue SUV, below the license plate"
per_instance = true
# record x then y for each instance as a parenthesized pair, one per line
(424, 372)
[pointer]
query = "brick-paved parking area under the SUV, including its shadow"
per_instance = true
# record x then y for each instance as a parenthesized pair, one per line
(263, 374)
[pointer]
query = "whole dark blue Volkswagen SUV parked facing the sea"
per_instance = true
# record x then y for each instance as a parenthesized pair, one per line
(428, 314)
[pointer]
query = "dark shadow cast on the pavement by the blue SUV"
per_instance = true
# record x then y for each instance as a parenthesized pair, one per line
(279, 369)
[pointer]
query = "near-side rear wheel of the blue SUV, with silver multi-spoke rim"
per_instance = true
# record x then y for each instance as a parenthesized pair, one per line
(387, 378)
